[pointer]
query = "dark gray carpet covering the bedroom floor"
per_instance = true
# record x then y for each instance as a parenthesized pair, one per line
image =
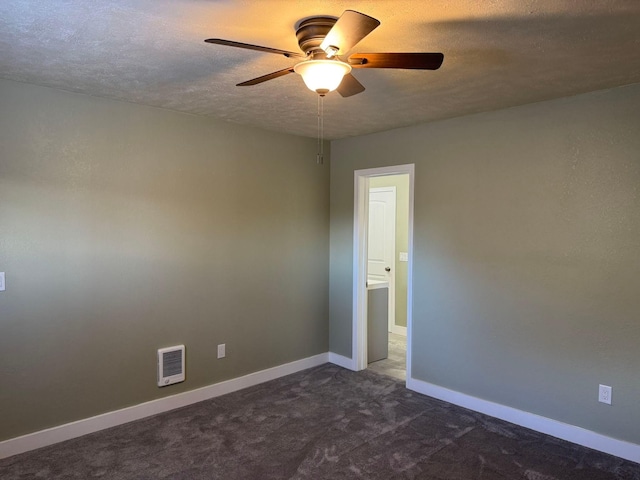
(323, 423)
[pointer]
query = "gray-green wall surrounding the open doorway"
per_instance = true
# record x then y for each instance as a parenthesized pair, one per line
(526, 254)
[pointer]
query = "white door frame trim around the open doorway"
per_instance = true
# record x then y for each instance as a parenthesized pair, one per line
(360, 256)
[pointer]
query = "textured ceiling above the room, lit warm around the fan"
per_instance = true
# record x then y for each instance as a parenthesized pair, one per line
(498, 53)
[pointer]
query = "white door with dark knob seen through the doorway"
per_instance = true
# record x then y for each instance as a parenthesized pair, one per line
(382, 241)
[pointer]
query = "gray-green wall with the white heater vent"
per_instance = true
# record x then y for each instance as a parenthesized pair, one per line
(124, 229)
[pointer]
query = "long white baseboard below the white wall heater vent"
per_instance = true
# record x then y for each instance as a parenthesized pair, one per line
(71, 430)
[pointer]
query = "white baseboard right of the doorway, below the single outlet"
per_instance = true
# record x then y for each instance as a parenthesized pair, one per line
(571, 433)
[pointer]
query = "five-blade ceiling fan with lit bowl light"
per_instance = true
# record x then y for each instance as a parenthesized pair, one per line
(324, 42)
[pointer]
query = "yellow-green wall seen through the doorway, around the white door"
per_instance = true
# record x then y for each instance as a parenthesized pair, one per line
(401, 182)
